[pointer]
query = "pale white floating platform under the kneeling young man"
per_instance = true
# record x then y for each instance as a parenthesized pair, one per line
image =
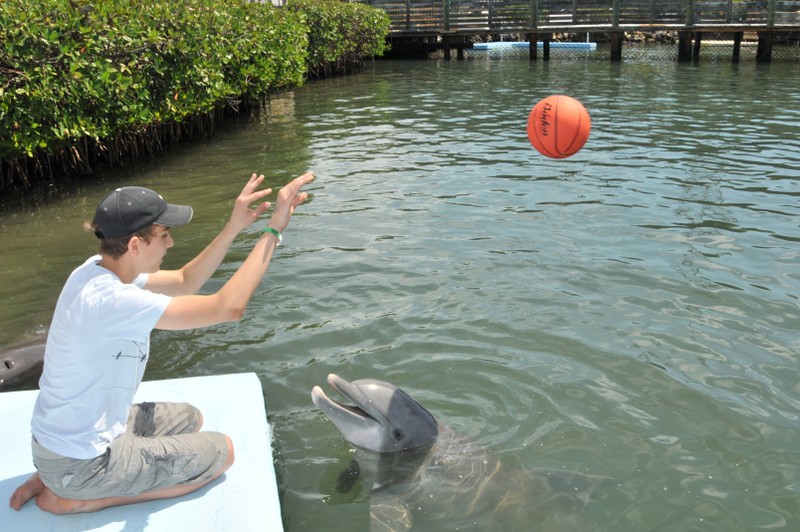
(245, 498)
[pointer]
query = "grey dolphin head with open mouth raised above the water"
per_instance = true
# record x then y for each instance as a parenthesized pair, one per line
(382, 418)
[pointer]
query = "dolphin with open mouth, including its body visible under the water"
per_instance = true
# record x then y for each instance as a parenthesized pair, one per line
(426, 476)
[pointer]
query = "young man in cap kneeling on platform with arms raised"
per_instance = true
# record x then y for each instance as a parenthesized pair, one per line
(91, 447)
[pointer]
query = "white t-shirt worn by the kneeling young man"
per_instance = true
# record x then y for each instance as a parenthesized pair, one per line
(96, 353)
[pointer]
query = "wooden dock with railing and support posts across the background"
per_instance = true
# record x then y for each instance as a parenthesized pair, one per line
(455, 24)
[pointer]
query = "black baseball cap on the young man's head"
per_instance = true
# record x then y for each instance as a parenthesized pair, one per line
(128, 210)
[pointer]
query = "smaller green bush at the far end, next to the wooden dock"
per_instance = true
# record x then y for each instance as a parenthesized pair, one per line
(341, 34)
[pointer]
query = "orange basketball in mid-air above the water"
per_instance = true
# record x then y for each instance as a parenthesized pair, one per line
(558, 126)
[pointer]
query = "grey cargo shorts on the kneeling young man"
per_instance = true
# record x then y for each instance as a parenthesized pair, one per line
(158, 450)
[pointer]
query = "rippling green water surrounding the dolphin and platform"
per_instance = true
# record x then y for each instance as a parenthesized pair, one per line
(630, 312)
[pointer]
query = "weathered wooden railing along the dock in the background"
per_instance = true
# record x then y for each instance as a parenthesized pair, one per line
(509, 16)
